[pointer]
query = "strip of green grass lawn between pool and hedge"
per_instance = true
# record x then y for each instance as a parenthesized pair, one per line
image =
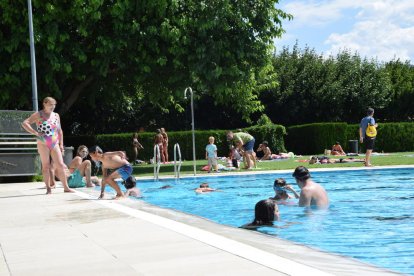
(399, 158)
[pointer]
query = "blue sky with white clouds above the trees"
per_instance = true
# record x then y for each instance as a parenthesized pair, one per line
(382, 29)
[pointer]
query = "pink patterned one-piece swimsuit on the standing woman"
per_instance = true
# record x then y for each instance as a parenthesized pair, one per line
(50, 130)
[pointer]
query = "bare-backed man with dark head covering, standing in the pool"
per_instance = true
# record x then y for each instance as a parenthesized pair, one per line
(311, 194)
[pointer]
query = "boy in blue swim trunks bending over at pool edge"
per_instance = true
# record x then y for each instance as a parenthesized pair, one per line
(115, 161)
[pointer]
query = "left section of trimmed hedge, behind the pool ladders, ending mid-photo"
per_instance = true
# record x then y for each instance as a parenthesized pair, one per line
(109, 142)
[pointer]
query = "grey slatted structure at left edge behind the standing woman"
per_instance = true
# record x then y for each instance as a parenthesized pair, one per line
(18, 149)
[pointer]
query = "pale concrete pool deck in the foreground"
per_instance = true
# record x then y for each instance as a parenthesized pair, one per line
(74, 234)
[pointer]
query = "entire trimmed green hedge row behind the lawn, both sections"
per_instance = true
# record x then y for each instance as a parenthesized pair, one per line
(302, 139)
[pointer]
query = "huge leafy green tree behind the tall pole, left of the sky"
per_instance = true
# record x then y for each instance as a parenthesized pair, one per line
(103, 51)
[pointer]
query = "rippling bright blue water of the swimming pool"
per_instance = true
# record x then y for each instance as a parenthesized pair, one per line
(370, 217)
